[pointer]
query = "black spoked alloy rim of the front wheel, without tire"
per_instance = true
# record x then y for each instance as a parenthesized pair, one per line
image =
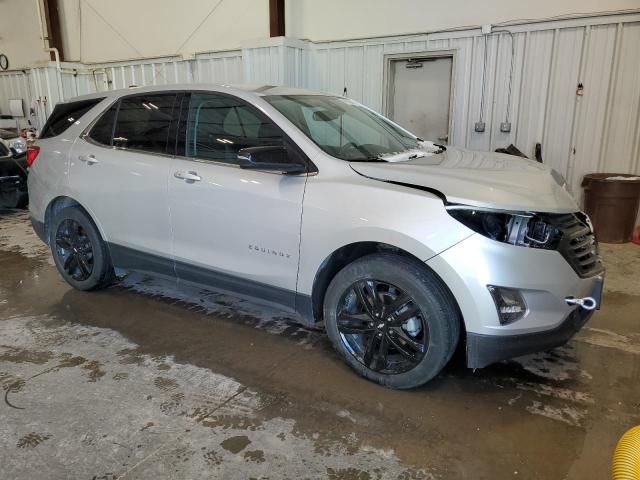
(382, 327)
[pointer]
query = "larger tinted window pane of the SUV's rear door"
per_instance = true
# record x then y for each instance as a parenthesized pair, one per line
(144, 121)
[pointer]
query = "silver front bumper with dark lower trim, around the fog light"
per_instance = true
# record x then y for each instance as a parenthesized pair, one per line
(544, 279)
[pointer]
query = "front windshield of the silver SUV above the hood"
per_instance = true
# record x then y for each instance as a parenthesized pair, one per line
(342, 127)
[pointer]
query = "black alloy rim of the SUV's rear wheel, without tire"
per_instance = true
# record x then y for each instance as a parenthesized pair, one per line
(73, 248)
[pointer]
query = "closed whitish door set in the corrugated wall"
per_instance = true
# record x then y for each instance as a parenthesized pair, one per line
(420, 96)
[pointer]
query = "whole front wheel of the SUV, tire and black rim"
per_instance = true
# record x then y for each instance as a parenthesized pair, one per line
(392, 320)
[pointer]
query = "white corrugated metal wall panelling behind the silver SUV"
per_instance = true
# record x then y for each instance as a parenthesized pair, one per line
(599, 131)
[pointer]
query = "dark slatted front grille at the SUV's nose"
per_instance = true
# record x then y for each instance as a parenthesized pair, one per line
(577, 243)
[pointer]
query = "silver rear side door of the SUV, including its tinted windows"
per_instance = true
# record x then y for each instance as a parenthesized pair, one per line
(119, 170)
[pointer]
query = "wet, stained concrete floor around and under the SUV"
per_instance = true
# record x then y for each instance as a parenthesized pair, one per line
(143, 380)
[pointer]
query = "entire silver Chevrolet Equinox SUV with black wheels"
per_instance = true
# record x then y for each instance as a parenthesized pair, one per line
(404, 249)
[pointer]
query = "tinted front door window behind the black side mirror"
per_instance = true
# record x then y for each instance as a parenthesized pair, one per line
(218, 126)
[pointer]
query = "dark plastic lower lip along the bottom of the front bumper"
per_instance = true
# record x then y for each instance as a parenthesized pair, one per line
(483, 350)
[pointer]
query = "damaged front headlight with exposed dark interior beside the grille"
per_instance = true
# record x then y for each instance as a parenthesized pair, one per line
(517, 228)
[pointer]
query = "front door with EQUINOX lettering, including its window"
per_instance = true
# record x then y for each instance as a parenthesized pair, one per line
(235, 229)
